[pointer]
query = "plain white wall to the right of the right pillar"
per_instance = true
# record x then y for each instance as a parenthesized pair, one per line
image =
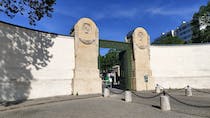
(178, 66)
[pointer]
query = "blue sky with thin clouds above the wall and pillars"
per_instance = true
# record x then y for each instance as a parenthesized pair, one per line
(115, 18)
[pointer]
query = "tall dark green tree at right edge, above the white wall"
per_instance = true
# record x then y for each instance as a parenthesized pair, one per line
(201, 36)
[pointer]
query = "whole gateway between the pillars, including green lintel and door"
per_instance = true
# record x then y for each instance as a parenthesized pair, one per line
(115, 63)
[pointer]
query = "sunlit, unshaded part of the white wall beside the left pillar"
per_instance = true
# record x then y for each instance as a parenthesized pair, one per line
(56, 78)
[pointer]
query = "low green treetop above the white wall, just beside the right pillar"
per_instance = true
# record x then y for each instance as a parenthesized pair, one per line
(169, 40)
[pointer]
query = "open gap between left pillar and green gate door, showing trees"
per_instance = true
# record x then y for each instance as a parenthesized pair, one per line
(109, 65)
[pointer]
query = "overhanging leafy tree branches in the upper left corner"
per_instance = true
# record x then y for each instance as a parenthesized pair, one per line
(35, 10)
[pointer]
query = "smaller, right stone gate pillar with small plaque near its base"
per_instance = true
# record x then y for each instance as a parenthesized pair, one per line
(141, 49)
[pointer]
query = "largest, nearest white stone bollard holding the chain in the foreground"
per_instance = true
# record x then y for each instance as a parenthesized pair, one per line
(165, 102)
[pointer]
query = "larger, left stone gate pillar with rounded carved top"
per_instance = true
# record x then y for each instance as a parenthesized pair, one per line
(86, 74)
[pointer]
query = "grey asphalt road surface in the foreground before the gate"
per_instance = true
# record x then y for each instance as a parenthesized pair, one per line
(115, 107)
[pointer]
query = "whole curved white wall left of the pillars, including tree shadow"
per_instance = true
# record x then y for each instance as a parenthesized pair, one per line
(34, 64)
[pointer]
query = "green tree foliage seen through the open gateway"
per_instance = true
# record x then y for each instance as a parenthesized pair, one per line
(109, 60)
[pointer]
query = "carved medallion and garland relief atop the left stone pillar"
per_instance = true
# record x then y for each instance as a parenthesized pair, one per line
(87, 30)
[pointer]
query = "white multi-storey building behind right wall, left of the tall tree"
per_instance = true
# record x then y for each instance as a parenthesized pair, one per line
(184, 31)
